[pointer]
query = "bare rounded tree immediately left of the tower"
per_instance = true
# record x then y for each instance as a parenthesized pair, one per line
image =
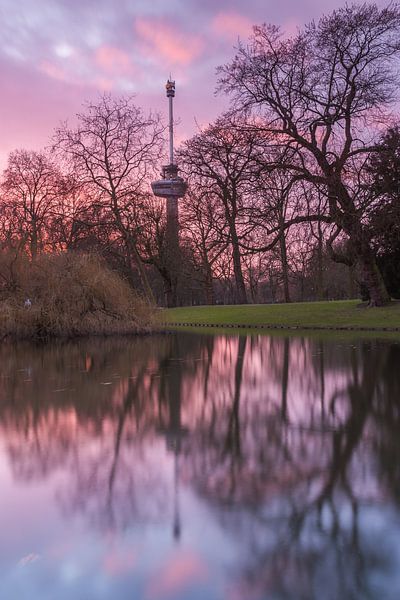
(113, 150)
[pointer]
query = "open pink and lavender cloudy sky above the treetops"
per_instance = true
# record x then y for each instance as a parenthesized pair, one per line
(57, 54)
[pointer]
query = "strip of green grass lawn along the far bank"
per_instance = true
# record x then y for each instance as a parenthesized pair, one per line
(340, 314)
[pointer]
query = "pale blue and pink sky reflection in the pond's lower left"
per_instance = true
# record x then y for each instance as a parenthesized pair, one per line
(55, 557)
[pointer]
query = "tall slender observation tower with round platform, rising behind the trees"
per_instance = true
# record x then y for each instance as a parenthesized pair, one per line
(171, 187)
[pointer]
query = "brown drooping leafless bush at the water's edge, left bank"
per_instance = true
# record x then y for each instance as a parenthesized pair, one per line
(67, 295)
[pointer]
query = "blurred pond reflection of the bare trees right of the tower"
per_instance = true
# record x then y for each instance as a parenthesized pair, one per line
(302, 479)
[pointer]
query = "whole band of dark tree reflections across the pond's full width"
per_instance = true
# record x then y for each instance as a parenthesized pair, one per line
(290, 441)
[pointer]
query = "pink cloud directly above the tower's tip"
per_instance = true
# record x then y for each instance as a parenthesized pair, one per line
(166, 44)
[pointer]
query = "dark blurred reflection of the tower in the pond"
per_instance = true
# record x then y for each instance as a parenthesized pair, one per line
(173, 430)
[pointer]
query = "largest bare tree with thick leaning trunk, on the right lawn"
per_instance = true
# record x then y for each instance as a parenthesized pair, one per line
(318, 93)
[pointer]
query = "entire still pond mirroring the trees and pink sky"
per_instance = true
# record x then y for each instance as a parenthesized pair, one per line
(200, 467)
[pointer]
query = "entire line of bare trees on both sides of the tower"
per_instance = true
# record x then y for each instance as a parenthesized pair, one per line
(293, 193)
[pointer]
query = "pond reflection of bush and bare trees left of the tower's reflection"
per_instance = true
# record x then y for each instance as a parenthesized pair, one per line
(91, 408)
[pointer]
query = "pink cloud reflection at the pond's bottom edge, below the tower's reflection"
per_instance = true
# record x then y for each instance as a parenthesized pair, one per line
(180, 571)
